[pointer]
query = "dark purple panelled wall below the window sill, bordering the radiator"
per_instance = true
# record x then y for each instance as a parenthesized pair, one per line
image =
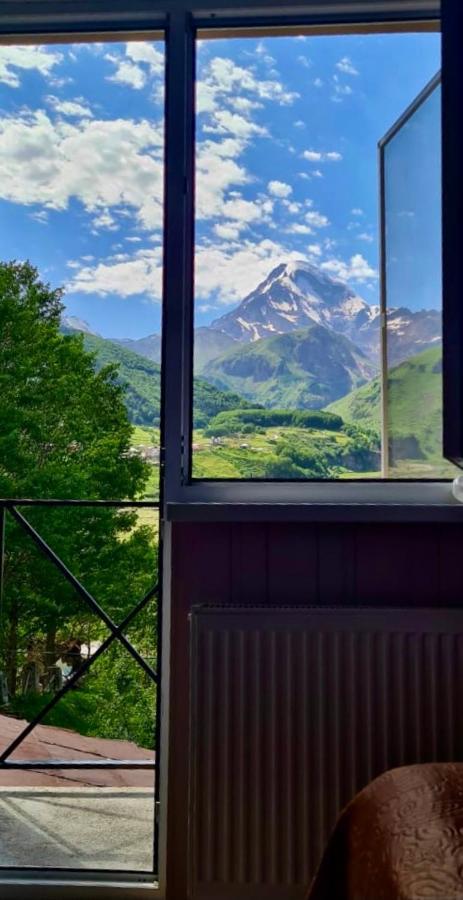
(290, 564)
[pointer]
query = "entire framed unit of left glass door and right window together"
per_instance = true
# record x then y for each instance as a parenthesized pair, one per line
(82, 147)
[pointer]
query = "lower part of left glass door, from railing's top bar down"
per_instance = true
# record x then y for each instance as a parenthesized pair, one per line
(47, 635)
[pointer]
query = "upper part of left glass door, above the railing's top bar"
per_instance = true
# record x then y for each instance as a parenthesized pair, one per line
(81, 207)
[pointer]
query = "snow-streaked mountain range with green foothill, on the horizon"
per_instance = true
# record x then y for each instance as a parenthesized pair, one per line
(300, 339)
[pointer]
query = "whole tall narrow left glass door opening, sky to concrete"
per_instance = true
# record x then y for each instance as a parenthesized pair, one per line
(81, 220)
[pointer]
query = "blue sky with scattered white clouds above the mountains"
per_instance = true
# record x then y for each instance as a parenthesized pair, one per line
(287, 133)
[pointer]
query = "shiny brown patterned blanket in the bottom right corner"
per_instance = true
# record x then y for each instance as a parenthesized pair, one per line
(401, 838)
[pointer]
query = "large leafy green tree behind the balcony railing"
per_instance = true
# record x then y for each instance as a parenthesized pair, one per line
(64, 433)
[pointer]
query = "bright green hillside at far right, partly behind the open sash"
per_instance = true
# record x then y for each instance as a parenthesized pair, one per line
(415, 405)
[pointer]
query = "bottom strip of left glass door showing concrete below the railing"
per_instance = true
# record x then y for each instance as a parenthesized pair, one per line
(78, 820)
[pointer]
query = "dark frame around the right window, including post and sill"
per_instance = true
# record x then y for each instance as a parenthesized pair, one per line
(433, 497)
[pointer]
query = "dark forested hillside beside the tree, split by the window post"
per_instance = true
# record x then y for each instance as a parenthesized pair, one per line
(142, 380)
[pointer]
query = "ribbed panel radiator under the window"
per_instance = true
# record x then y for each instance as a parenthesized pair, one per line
(292, 712)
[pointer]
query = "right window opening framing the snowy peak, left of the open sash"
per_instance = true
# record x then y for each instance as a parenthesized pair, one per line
(287, 320)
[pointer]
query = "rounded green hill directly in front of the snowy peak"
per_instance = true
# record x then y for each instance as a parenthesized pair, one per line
(304, 369)
